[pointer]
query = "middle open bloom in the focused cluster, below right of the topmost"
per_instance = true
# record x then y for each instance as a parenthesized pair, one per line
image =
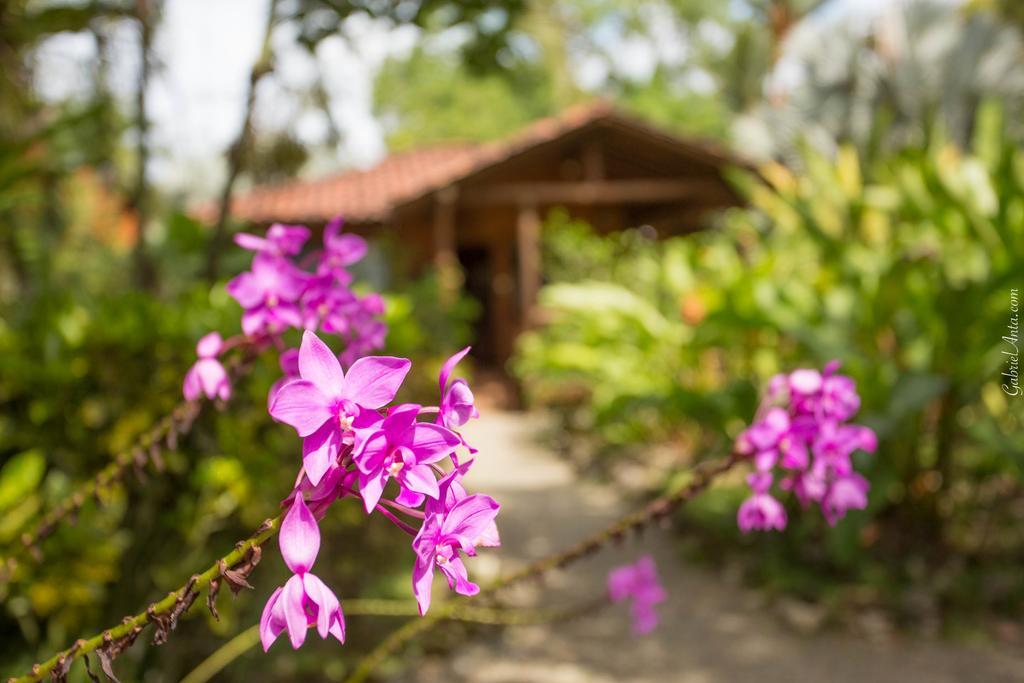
(404, 450)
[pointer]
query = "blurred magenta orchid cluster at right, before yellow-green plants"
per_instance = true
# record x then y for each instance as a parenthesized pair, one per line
(802, 436)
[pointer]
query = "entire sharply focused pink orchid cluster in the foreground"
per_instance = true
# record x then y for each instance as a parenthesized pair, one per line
(354, 446)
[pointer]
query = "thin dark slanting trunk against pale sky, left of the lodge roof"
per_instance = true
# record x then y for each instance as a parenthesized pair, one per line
(237, 153)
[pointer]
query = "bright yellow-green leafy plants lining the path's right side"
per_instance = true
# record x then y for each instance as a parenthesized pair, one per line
(903, 270)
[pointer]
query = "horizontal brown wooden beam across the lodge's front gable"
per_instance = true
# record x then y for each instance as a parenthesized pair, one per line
(595, 192)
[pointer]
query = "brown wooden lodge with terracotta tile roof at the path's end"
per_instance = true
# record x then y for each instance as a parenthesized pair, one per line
(483, 205)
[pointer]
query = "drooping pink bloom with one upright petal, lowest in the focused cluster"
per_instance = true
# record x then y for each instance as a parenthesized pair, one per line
(305, 601)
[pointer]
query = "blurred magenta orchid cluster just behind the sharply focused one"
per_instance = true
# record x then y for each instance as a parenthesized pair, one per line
(278, 294)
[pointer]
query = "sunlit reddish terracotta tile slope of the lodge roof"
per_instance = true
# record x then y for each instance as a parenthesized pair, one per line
(369, 196)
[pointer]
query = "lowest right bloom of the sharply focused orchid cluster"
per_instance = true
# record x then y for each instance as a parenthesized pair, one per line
(443, 538)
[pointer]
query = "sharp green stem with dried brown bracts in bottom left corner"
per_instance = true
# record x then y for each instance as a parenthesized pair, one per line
(164, 608)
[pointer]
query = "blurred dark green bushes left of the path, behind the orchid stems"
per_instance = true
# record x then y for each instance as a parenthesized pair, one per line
(87, 366)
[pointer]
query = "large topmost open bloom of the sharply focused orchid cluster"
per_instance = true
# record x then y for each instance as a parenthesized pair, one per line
(326, 405)
